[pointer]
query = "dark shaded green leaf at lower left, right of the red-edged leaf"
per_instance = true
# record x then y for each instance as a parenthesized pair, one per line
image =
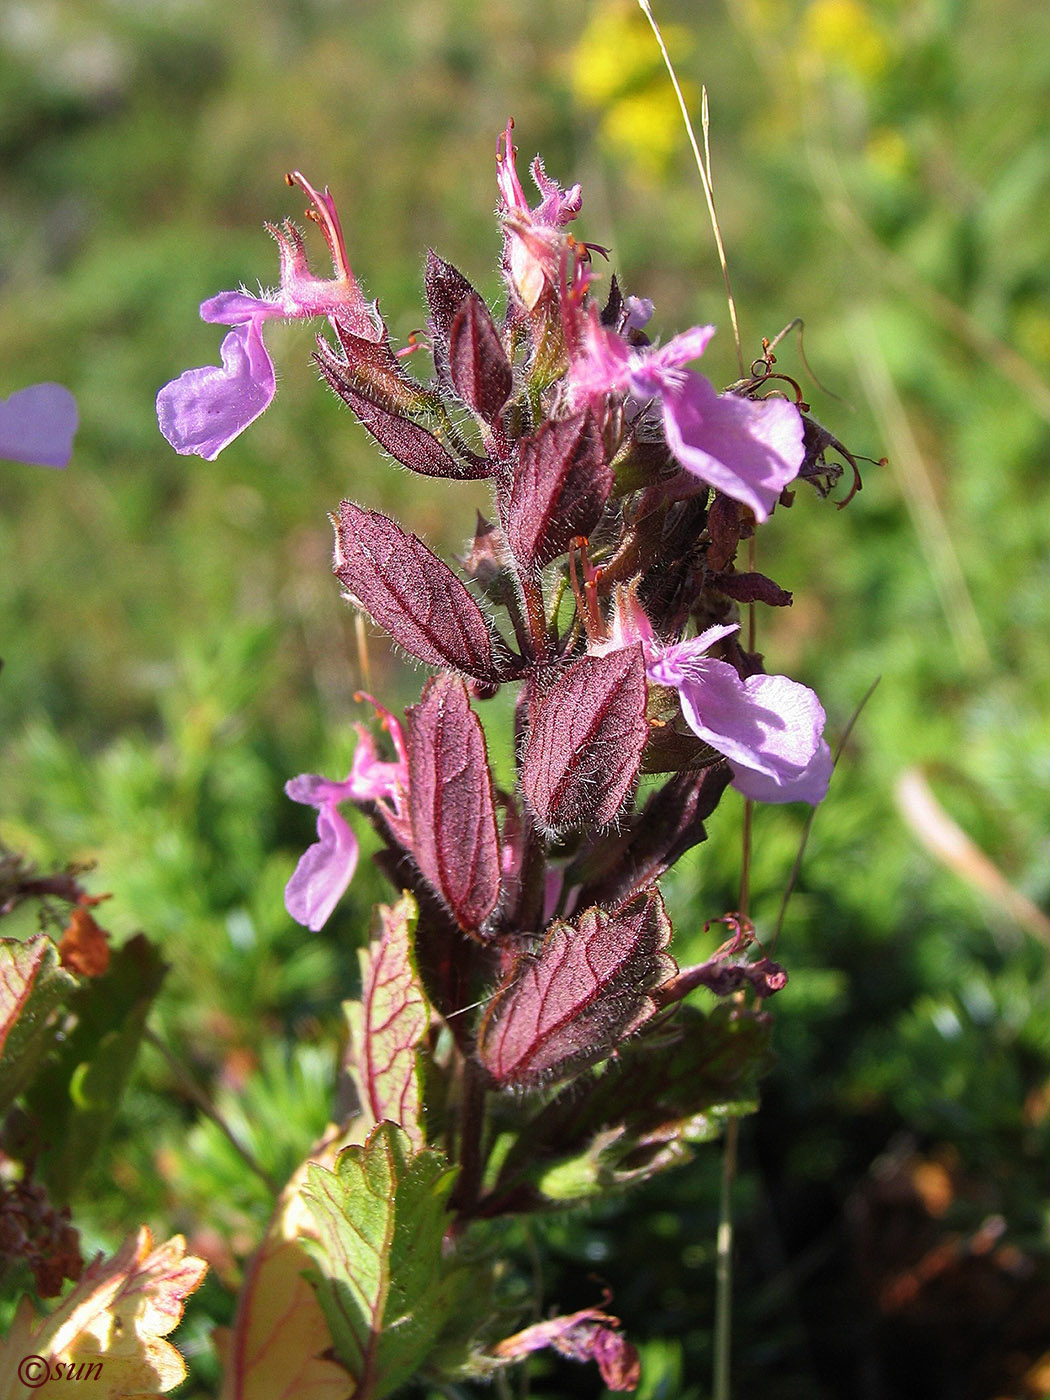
(75, 1100)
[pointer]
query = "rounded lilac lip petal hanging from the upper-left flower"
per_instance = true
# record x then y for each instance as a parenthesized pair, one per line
(204, 411)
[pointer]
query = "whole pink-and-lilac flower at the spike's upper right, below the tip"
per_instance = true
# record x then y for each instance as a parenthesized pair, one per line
(747, 449)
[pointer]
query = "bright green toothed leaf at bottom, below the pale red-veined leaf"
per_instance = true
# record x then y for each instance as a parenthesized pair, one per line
(381, 1277)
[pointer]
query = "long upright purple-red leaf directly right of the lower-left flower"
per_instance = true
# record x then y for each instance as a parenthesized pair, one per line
(454, 835)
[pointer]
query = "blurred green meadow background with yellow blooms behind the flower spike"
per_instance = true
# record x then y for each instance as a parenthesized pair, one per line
(174, 646)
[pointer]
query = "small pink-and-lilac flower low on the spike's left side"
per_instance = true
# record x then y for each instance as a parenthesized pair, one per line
(327, 869)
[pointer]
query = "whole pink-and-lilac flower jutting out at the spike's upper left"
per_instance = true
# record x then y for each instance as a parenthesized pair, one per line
(205, 409)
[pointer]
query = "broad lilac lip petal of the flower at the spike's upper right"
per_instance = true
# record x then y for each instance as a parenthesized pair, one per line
(747, 449)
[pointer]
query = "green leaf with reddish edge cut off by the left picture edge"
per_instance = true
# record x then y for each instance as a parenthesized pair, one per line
(33, 983)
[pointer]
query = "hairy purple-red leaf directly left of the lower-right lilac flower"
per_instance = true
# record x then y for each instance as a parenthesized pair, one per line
(586, 738)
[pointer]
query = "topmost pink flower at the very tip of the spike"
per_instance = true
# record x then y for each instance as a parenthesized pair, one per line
(533, 248)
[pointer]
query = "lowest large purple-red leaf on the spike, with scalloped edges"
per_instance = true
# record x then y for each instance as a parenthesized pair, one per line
(587, 988)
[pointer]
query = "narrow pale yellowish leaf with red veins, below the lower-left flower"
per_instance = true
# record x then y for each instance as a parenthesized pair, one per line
(388, 1024)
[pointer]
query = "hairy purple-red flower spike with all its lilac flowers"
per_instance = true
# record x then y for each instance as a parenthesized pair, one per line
(622, 486)
